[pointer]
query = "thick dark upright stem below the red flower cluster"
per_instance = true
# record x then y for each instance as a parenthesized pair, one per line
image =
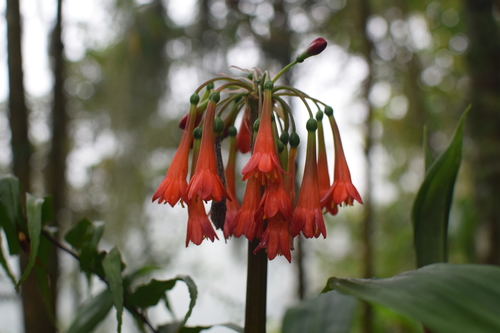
(255, 309)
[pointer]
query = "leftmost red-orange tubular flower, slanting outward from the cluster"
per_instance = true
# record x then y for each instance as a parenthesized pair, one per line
(174, 185)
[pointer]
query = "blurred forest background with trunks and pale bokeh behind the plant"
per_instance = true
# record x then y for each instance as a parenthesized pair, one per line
(91, 93)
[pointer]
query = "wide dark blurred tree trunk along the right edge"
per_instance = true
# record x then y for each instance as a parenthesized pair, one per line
(484, 71)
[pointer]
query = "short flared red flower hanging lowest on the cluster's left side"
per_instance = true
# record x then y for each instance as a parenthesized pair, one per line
(199, 226)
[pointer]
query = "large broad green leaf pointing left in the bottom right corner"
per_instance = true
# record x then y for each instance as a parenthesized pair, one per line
(444, 297)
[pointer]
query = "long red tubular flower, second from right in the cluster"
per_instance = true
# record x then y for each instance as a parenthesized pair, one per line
(307, 216)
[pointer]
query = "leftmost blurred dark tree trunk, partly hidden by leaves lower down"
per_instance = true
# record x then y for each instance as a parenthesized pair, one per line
(36, 319)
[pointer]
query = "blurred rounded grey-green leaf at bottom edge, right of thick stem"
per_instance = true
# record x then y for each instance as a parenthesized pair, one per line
(331, 312)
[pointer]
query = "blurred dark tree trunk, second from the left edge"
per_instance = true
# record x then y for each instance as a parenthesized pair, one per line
(56, 167)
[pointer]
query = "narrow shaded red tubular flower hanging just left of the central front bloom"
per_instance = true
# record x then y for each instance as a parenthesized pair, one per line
(232, 206)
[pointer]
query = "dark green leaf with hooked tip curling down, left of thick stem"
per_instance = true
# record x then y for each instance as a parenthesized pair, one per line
(150, 294)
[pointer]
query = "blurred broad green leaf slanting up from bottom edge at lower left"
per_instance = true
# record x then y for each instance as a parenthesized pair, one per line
(91, 313)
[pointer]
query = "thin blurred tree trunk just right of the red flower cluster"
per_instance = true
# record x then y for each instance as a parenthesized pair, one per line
(365, 12)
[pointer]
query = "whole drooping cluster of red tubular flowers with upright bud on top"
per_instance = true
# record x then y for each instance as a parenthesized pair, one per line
(274, 209)
